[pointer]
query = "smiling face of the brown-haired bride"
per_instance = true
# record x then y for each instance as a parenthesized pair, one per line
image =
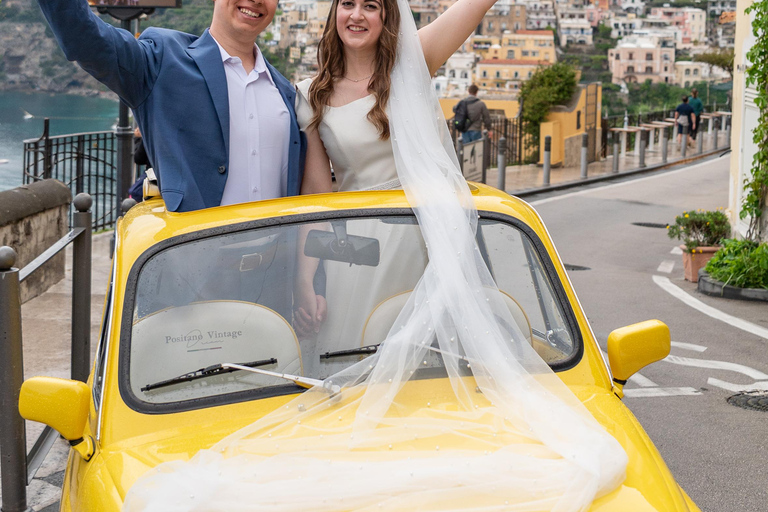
(359, 23)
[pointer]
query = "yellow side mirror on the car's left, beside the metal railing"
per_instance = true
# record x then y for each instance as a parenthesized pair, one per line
(59, 403)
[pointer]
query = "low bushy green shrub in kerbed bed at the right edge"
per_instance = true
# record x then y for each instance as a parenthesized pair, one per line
(740, 263)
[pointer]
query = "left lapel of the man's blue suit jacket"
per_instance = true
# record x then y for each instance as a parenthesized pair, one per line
(205, 52)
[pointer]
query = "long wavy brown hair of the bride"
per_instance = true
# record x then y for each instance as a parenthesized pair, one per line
(330, 60)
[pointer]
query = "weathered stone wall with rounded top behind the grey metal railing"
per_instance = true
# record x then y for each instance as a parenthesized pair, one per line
(32, 218)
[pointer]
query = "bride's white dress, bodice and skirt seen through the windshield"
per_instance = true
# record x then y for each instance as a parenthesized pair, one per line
(361, 161)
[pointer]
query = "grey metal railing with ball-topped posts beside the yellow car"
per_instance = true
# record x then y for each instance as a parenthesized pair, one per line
(17, 467)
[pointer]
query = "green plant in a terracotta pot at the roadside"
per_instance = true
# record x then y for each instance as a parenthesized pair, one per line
(701, 232)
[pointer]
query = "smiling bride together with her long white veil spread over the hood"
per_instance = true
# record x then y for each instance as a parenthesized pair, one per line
(520, 439)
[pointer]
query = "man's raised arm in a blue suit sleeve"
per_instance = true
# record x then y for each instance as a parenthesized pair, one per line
(111, 55)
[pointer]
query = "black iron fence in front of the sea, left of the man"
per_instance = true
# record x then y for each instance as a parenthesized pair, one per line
(85, 162)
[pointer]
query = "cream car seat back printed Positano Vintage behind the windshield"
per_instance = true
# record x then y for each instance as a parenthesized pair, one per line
(180, 340)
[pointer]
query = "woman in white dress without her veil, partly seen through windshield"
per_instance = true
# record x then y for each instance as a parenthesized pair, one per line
(343, 112)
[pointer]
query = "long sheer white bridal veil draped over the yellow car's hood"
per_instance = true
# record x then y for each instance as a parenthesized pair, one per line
(514, 437)
